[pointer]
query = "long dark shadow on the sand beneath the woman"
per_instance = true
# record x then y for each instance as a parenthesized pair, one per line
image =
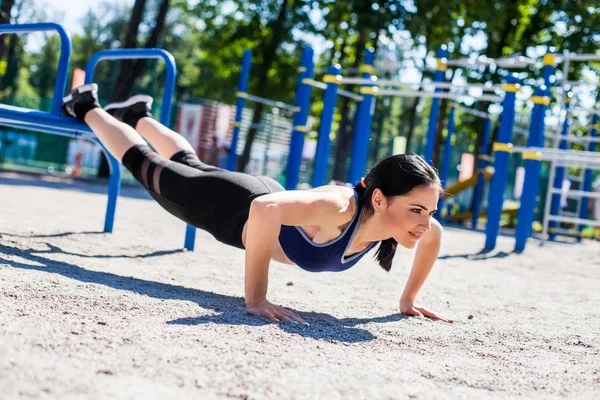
(231, 310)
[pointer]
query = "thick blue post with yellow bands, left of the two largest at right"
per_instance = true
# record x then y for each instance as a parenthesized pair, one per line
(502, 149)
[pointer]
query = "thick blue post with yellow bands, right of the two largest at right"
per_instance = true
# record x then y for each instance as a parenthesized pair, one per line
(533, 166)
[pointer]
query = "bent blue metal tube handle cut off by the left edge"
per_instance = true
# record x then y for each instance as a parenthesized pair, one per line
(63, 61)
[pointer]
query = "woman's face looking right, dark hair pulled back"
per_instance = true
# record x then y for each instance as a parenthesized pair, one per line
(406, 218)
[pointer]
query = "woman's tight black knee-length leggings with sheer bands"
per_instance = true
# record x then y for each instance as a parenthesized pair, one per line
(207, 197)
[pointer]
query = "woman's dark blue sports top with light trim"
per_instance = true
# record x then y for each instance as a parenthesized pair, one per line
(329, 256)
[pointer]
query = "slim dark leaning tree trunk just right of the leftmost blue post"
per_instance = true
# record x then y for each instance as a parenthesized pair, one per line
(268, 58)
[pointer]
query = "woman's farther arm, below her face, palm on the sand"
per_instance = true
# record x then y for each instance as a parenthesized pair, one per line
(425, 257)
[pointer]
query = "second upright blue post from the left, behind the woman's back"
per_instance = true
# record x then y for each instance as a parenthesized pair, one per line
(303, 93)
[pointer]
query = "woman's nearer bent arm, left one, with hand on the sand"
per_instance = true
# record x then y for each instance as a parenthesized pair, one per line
(267, 214)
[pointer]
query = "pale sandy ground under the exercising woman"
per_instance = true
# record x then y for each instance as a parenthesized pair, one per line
(89, 315)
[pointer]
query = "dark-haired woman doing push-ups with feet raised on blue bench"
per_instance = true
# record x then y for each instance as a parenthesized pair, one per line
(328, 228)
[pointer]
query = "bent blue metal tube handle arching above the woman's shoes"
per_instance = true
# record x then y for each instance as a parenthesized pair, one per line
(118, 54)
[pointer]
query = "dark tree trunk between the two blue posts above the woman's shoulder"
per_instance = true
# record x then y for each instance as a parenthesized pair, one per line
(343, 146)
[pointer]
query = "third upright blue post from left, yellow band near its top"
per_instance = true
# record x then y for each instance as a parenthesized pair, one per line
(332, 79)
